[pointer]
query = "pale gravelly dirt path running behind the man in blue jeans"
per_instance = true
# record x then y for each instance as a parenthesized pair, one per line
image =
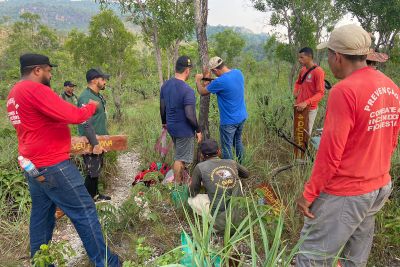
(128, 164)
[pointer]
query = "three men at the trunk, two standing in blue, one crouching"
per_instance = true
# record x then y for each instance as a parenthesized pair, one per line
(219, 174)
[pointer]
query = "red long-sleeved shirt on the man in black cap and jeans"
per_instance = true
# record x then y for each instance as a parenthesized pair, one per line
(41, 119)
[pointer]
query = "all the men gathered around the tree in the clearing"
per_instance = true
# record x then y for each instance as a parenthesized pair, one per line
(350, 180)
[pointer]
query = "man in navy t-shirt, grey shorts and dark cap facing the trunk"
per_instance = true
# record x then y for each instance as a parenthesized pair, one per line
(178, 114)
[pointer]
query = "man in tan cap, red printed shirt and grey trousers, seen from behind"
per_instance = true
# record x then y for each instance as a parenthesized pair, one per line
(350, 181)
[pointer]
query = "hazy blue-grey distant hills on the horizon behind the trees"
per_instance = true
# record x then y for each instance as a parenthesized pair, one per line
(65, 15)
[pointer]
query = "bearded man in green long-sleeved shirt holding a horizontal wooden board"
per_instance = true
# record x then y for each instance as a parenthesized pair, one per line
(97, 81)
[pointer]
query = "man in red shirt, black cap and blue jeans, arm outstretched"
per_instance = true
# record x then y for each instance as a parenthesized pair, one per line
(41, 120)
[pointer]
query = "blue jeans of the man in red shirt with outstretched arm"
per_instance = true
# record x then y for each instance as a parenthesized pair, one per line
(63, 187)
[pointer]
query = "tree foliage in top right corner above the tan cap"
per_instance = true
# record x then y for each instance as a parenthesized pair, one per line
(378, 17)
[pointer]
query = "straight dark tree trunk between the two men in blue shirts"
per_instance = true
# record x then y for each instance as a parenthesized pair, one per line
(200, 16)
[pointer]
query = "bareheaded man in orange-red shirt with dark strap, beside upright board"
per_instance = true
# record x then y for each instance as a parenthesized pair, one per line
(309, 87)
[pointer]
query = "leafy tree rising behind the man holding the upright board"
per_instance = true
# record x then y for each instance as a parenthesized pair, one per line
(305, 21)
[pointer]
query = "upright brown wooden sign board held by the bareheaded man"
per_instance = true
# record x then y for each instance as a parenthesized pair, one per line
(300, 132)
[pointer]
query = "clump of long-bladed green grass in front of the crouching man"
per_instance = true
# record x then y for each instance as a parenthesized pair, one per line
(256, 240)
